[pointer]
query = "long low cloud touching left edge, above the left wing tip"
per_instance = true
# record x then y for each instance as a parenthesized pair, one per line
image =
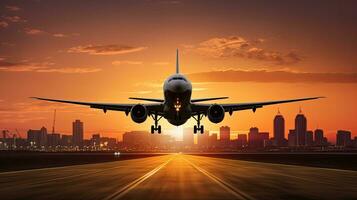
(43, 67)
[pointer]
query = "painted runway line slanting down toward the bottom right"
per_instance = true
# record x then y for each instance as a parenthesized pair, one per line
(228, 187)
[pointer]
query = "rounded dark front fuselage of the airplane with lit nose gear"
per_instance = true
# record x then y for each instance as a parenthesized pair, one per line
(177, 104)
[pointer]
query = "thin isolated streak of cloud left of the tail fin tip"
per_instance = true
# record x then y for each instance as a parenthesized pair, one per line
(112, 49)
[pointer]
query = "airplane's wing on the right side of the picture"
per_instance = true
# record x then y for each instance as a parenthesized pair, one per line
(202, 108)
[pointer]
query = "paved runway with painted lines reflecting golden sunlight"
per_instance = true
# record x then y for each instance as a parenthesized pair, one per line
(179, 176)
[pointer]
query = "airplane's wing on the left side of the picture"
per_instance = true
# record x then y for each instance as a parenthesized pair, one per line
(152, 108)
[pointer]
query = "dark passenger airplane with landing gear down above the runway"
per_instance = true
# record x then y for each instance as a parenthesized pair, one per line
(177, 106)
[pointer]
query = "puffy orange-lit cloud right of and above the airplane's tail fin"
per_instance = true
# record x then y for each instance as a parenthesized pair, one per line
(235, 46)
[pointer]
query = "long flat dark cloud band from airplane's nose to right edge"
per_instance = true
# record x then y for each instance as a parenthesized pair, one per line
(272, 77)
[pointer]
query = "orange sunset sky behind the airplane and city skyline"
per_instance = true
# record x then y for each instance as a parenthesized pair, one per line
(107, 51)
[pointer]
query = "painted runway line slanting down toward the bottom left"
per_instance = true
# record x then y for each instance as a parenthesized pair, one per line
(124, 190)
